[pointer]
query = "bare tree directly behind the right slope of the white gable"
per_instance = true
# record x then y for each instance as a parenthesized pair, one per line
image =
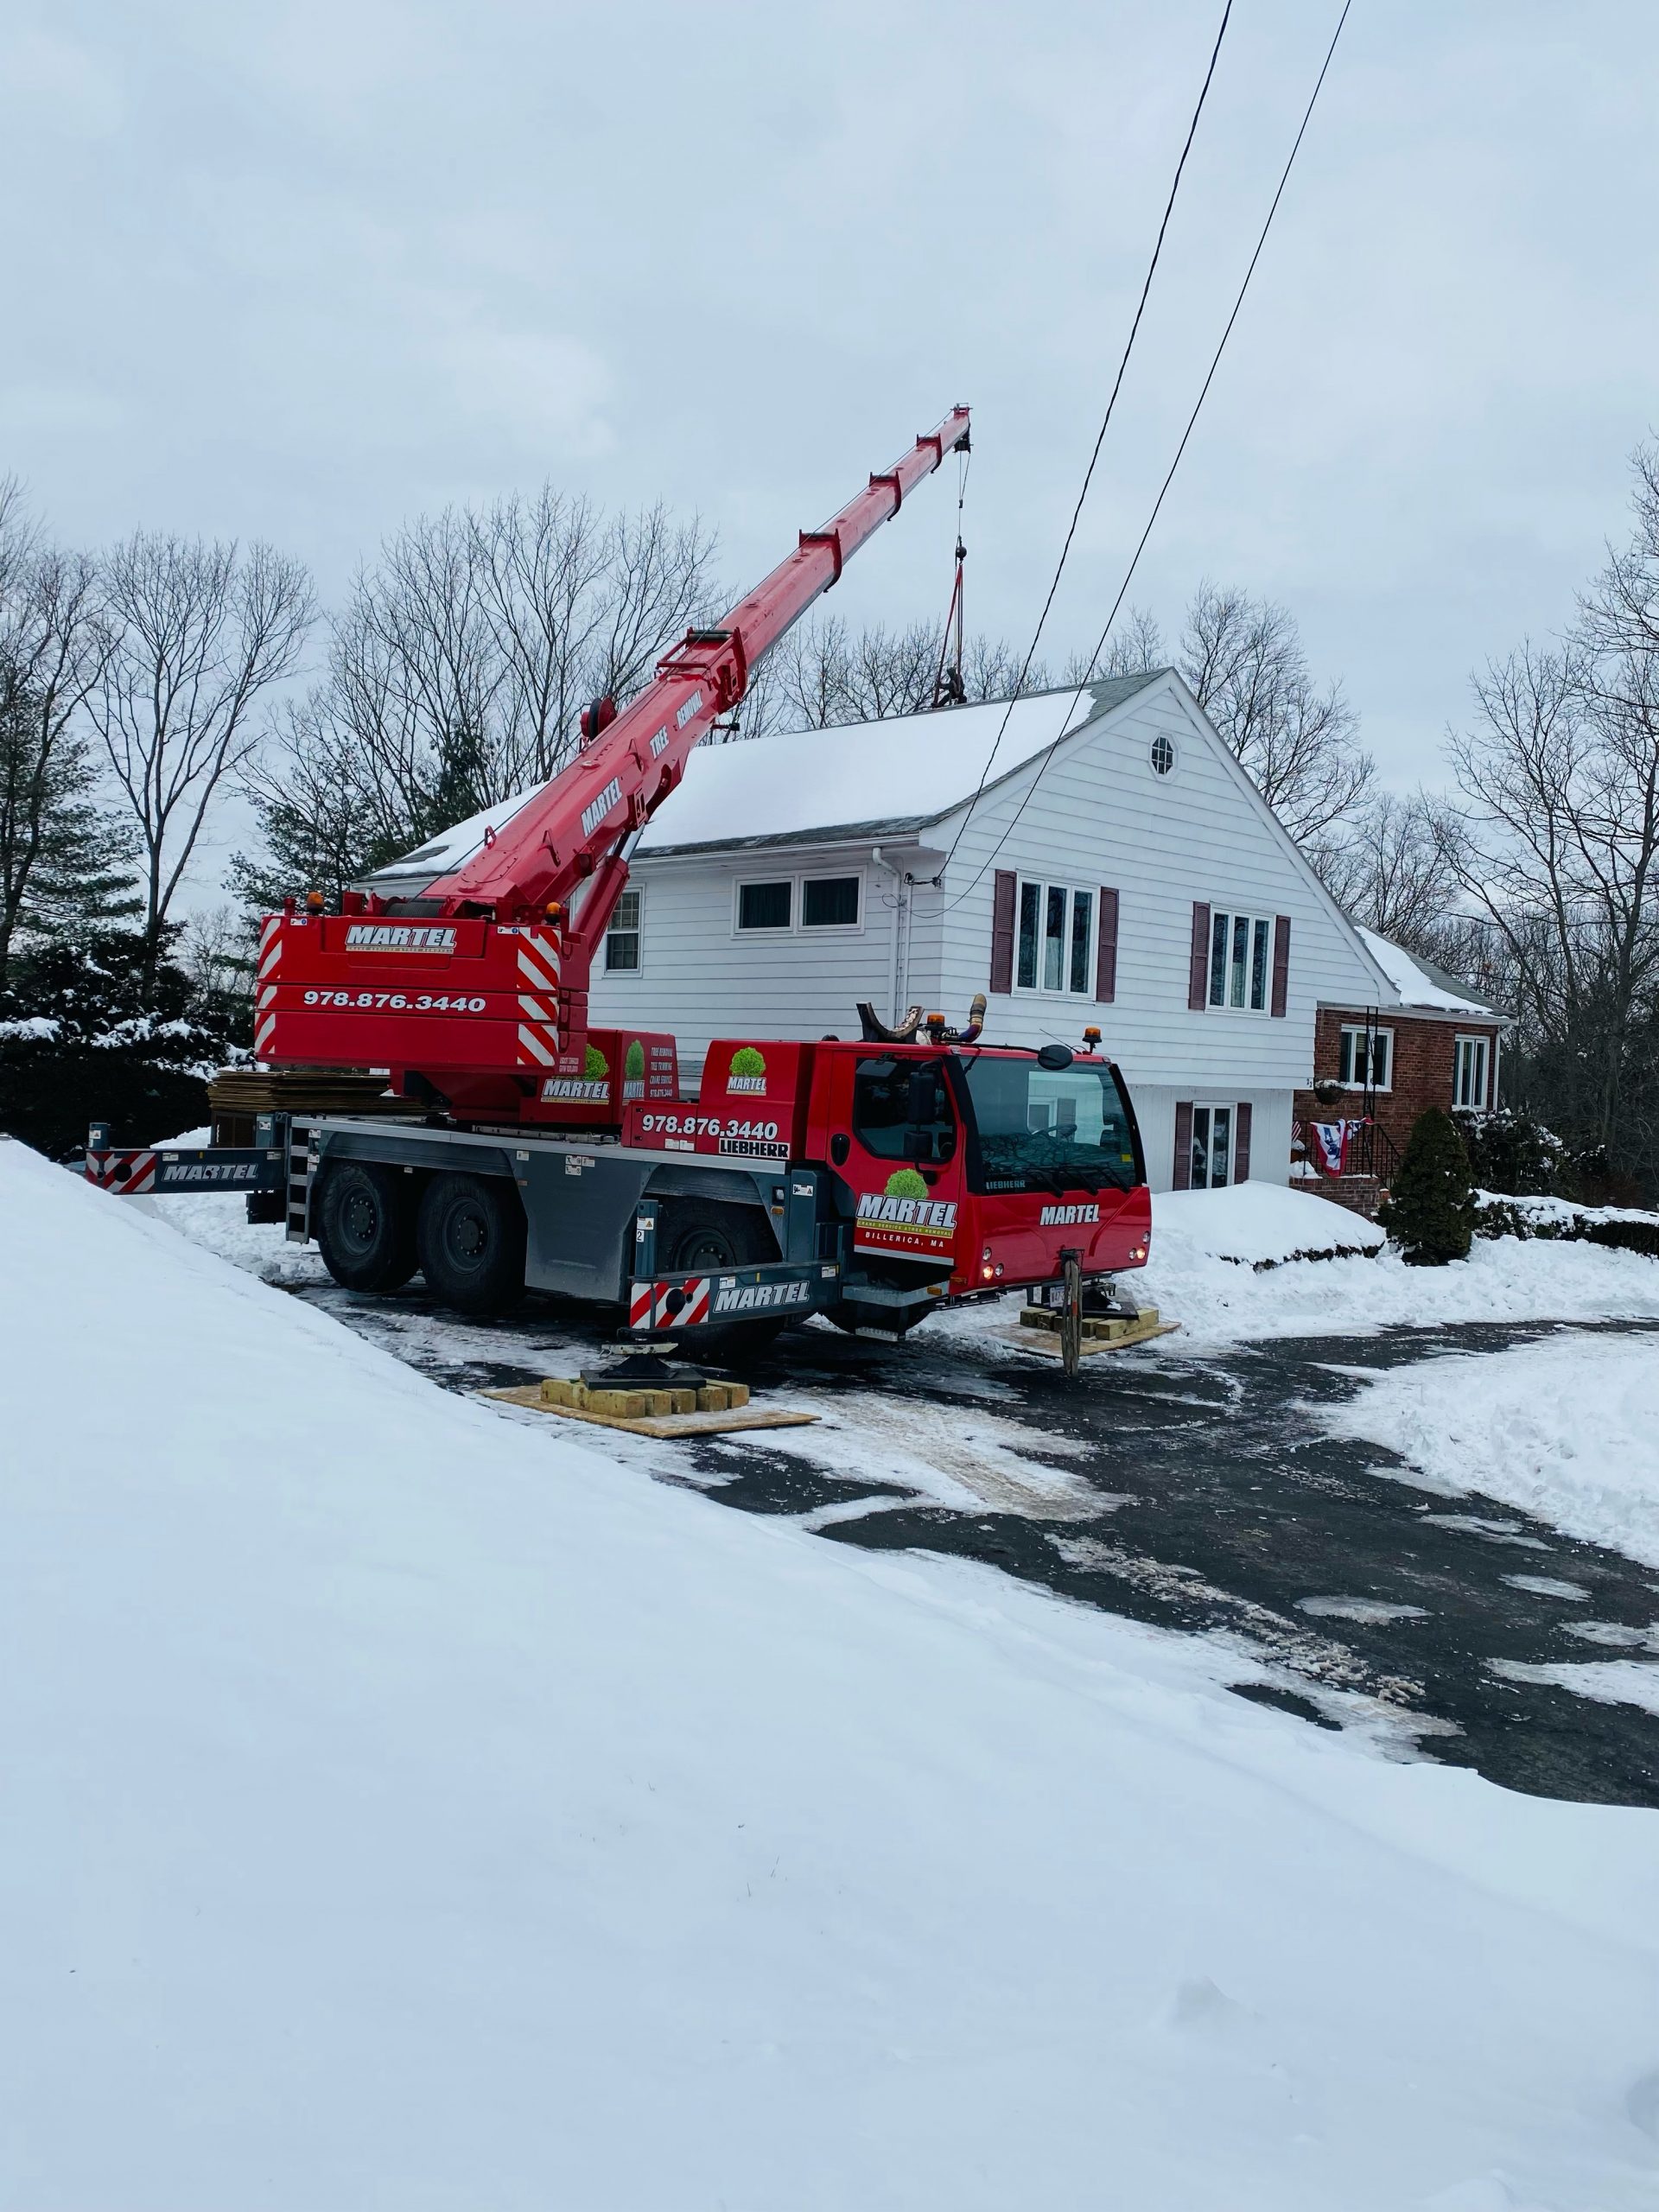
(1300, 744)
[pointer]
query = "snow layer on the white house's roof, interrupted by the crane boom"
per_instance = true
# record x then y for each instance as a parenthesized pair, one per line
(875, 778)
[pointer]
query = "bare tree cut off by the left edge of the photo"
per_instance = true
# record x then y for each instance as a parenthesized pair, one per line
(54, 844)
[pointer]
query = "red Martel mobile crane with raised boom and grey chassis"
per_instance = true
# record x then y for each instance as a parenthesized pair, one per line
(870, 1180)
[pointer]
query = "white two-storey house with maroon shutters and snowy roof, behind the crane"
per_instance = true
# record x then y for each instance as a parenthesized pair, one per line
(1118, 868)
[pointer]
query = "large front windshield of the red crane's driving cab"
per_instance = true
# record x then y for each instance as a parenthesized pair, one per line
(1050, 1129)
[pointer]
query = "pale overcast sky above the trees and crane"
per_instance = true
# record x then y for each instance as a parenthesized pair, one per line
(306, 271)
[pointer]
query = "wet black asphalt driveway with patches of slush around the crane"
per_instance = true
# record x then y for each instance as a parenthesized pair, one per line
(1200, 1496)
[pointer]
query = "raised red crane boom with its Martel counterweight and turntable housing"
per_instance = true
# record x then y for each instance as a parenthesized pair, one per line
(477, 992)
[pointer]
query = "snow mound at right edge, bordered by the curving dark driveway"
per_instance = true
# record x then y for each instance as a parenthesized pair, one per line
(1567, 1430)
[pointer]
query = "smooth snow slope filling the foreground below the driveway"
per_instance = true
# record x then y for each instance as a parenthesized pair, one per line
(413, 1806)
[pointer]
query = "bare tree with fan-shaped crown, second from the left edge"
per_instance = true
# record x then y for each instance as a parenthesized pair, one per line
(196, 636)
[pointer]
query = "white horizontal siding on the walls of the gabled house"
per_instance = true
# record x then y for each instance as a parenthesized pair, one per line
(1096, 817)
